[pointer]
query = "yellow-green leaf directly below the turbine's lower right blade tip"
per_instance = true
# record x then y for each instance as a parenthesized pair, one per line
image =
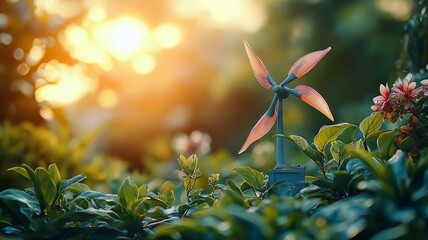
(327, 134)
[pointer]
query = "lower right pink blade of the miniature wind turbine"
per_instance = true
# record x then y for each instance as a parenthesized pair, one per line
(313, 98)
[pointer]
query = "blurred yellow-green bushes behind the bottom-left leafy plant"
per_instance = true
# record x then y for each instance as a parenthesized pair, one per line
(38, 146)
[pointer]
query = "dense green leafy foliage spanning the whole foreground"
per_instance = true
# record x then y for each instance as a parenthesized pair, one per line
(368, 198)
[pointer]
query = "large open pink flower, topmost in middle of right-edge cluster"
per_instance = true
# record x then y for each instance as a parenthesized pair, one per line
(406, 92)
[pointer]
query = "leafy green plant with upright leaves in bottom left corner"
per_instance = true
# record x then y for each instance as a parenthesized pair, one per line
(39, 210)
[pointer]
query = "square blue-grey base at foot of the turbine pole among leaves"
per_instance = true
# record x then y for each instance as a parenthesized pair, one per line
(294, 179)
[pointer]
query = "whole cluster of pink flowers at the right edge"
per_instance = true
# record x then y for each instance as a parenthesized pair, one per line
(400, 99)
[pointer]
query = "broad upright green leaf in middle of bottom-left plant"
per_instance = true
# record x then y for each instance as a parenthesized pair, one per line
(48, 188)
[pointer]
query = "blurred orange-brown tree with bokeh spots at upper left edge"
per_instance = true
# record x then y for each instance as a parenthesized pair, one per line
(28, 38)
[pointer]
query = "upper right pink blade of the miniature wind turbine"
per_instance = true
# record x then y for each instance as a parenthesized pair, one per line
(307, 62)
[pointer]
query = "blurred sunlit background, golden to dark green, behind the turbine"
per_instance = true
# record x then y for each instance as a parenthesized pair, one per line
(140, 74)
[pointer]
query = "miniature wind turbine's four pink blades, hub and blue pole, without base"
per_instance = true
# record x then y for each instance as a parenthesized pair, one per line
(275, 112)
